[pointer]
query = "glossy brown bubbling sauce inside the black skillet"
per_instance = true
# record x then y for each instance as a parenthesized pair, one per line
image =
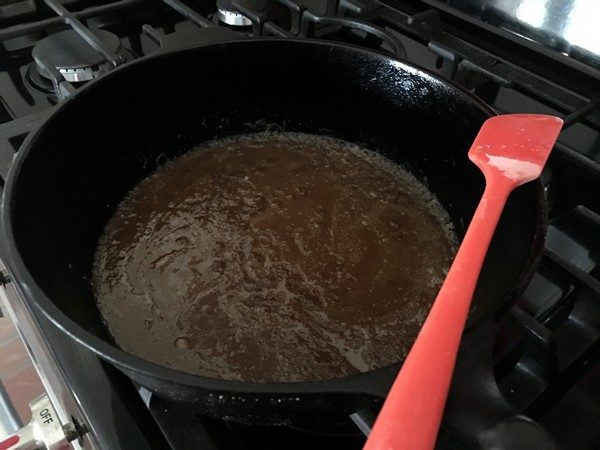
(273, 257)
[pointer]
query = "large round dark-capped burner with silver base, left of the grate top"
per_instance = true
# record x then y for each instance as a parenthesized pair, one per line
(74, 58)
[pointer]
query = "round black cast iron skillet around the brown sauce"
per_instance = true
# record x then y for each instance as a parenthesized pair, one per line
(70, 175)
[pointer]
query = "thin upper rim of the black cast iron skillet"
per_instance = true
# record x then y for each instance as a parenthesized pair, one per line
(132, 363)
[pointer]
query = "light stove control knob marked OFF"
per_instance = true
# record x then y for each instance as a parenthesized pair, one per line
(43, 432)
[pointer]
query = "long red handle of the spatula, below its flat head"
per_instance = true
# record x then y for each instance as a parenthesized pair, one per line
(412, 413)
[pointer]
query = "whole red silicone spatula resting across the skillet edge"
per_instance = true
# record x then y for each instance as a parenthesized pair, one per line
(510, 150)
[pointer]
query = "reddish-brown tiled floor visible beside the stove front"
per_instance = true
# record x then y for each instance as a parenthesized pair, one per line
(17, 373)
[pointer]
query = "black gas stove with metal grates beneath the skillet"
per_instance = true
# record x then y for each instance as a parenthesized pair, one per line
(527, 381)
